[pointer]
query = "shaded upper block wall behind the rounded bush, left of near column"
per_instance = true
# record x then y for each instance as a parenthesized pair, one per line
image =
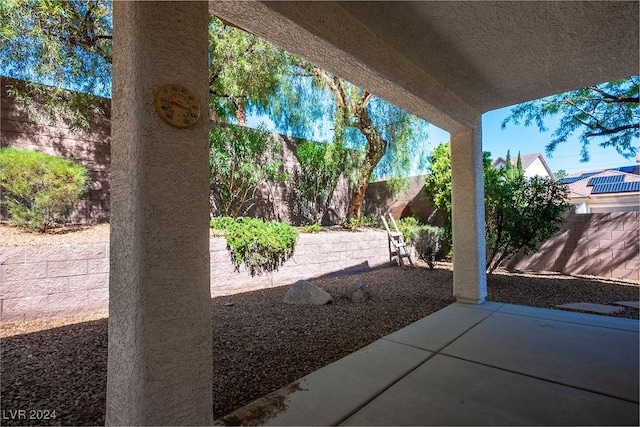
(92, 149)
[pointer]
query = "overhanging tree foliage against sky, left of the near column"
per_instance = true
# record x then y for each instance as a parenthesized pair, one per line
(61, 41)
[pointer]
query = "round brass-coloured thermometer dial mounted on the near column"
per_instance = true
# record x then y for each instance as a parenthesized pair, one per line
(177, 105)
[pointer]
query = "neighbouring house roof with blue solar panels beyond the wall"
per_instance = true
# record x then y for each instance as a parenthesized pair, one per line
(622, 182)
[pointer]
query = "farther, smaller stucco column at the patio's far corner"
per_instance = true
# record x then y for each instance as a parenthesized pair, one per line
(467, 182)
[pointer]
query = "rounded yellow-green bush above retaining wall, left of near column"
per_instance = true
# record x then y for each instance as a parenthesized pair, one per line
(40, 189)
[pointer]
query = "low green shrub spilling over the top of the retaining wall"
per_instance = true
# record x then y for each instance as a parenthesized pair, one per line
(260, 246)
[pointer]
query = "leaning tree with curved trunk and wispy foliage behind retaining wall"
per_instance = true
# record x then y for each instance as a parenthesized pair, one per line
(387, 136)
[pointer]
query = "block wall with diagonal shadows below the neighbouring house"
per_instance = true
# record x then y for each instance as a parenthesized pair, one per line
(599, 244)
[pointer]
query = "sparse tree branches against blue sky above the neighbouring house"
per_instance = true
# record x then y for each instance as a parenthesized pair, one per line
(607, 113)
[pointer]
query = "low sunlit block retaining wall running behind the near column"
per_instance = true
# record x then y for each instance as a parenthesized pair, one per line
(39, 282)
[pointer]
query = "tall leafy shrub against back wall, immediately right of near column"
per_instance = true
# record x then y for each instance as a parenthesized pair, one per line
(241, 160)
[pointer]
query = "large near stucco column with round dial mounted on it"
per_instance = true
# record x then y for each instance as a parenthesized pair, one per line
(160, 350)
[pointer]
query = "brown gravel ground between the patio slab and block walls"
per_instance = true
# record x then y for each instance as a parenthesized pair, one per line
(259, 343)
